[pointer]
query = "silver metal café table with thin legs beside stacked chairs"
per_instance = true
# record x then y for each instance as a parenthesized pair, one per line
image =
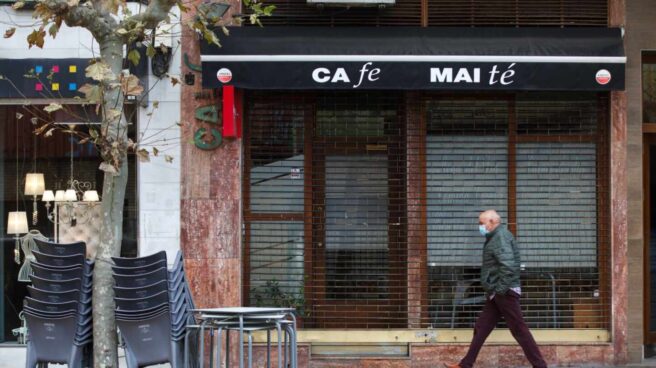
(245, 319)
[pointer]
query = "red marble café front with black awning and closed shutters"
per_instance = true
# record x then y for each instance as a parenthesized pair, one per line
(352, 190)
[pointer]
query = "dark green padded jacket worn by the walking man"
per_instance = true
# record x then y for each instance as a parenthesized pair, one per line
(501, 264)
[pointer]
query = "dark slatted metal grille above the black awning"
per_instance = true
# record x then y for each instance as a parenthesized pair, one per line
(470, 13)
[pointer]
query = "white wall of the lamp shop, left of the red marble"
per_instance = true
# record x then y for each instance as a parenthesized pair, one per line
(158, 181)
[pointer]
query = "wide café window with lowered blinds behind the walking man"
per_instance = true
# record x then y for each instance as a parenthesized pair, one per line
(546, 177)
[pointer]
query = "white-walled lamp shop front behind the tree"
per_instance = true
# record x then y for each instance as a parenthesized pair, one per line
(33, 78)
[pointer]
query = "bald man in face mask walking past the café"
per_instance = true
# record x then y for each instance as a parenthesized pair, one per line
(500, 280)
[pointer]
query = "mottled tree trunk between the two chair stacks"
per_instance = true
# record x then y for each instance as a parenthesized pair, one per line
(105, 353)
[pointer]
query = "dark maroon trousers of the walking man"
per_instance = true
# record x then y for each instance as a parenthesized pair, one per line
(506, 306)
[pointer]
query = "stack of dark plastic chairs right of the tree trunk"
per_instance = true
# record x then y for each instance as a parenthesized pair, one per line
(153, 308)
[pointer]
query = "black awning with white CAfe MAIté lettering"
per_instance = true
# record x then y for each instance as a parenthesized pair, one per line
(417, 58)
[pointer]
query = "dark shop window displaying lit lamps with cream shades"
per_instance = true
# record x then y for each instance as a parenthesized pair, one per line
(22, 152)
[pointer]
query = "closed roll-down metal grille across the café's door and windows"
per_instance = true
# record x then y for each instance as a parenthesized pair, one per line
(361, 208)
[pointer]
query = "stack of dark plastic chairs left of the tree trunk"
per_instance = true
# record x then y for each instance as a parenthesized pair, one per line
(58, 306)
